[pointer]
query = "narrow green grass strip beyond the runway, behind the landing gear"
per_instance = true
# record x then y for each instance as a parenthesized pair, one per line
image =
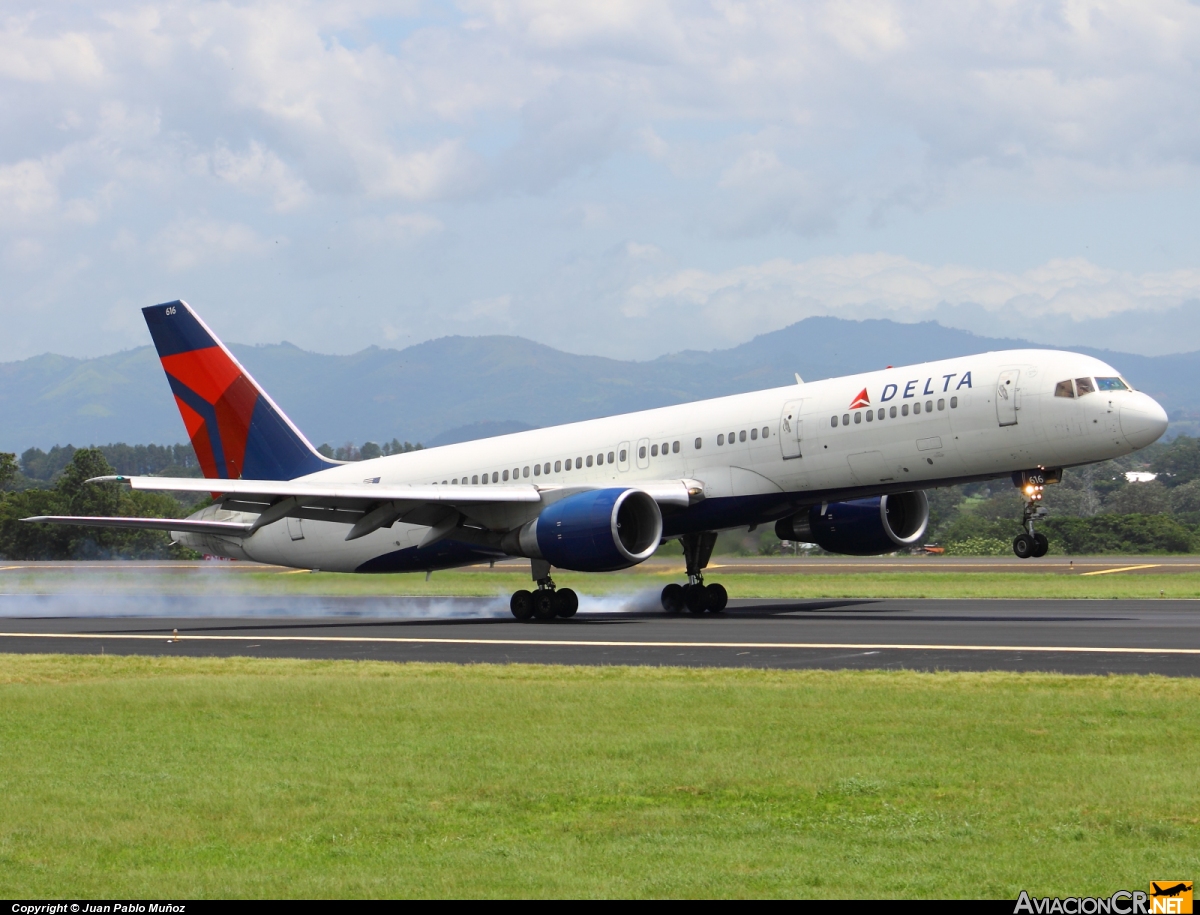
(851, 584)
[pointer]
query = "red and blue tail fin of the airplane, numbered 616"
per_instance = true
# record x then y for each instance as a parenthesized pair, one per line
(236, 429)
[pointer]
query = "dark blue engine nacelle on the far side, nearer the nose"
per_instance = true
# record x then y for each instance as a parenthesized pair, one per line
(862, 528)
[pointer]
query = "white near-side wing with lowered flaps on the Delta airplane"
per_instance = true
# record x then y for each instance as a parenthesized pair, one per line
(370, 506)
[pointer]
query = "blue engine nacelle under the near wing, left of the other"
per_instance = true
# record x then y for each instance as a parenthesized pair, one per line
(598, 531)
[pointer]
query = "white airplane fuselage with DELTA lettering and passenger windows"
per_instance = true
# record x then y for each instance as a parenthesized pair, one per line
(763, 456)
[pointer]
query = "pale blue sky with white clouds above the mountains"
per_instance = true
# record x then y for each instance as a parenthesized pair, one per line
(616, 178)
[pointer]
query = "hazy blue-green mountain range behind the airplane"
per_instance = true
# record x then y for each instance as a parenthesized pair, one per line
(459, 388)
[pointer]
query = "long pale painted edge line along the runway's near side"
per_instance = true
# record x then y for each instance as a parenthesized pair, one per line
(583, 644)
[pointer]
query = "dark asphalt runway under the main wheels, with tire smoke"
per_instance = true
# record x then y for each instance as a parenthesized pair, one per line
(1075, 637)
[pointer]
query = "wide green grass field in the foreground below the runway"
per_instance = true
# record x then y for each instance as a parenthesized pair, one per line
(169, 778)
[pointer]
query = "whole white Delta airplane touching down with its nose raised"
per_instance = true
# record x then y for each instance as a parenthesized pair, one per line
(843, 463)
